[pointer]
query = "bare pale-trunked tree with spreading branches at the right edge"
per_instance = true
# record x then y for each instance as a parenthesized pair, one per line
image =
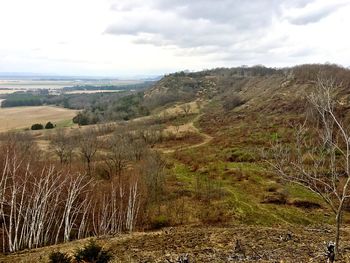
(320, 160)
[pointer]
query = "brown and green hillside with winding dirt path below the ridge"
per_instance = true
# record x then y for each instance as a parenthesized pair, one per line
(214, 131)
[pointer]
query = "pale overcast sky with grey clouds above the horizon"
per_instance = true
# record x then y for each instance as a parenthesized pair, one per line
(130, 37)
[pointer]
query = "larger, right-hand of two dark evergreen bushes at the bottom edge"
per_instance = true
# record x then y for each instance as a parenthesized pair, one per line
(93, 252)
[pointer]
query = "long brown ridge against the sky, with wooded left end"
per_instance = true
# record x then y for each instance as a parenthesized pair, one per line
(244, 89)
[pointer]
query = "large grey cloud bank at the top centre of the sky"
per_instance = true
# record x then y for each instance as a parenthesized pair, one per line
(227, 28)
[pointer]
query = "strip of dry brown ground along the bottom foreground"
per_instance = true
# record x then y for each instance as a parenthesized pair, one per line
(208, 244)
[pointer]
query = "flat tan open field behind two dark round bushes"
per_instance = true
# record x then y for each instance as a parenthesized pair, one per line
(24, 117)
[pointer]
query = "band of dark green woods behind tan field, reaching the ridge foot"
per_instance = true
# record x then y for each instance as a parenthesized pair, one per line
(96, 107)
